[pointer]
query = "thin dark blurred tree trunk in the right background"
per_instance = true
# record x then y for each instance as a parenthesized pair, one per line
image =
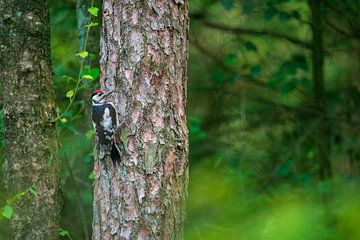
(323, 135)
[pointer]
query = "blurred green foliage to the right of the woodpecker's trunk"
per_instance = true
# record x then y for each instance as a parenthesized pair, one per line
(254, 174)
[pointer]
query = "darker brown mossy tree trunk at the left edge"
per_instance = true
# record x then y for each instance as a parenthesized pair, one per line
(29, 104)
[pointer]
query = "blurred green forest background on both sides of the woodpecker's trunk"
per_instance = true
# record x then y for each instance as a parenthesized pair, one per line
(254, 120)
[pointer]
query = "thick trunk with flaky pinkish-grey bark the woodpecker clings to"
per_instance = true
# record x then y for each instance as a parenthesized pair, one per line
(144, 58)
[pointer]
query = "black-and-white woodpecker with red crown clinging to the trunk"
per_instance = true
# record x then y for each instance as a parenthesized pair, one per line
(105, 122)
